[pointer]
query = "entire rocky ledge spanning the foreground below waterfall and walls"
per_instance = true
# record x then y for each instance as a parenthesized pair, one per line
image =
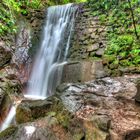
(102, 109)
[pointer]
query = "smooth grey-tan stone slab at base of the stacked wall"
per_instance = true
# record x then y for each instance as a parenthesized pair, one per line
(82, 71)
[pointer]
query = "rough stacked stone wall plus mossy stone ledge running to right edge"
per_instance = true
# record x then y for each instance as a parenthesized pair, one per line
(90, 40)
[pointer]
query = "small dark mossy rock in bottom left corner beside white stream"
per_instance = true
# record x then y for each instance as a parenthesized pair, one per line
(8, 132)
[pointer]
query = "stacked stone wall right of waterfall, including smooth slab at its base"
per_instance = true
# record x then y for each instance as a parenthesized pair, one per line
(87, 47)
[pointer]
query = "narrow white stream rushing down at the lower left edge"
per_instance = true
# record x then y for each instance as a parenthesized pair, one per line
(9, 118)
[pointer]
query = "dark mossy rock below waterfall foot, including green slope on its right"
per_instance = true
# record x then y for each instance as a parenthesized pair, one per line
(30, 110)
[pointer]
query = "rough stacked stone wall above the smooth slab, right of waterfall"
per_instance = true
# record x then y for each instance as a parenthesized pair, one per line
(89, 38)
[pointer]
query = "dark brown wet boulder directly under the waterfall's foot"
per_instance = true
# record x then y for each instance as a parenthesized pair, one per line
(29, 110)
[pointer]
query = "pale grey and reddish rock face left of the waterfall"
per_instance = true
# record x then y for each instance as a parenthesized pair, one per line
(21, 59)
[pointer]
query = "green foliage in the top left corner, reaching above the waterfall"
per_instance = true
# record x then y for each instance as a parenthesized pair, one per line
(11, 9)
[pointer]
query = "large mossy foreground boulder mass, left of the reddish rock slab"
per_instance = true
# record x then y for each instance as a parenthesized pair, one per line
(57, 123)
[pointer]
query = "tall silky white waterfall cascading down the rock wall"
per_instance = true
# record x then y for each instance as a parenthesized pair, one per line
(47, 70)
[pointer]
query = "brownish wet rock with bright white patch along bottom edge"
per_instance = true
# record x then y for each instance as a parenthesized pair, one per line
(46, 128)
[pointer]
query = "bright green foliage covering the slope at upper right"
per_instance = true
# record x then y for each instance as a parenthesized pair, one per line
(122, 18)
